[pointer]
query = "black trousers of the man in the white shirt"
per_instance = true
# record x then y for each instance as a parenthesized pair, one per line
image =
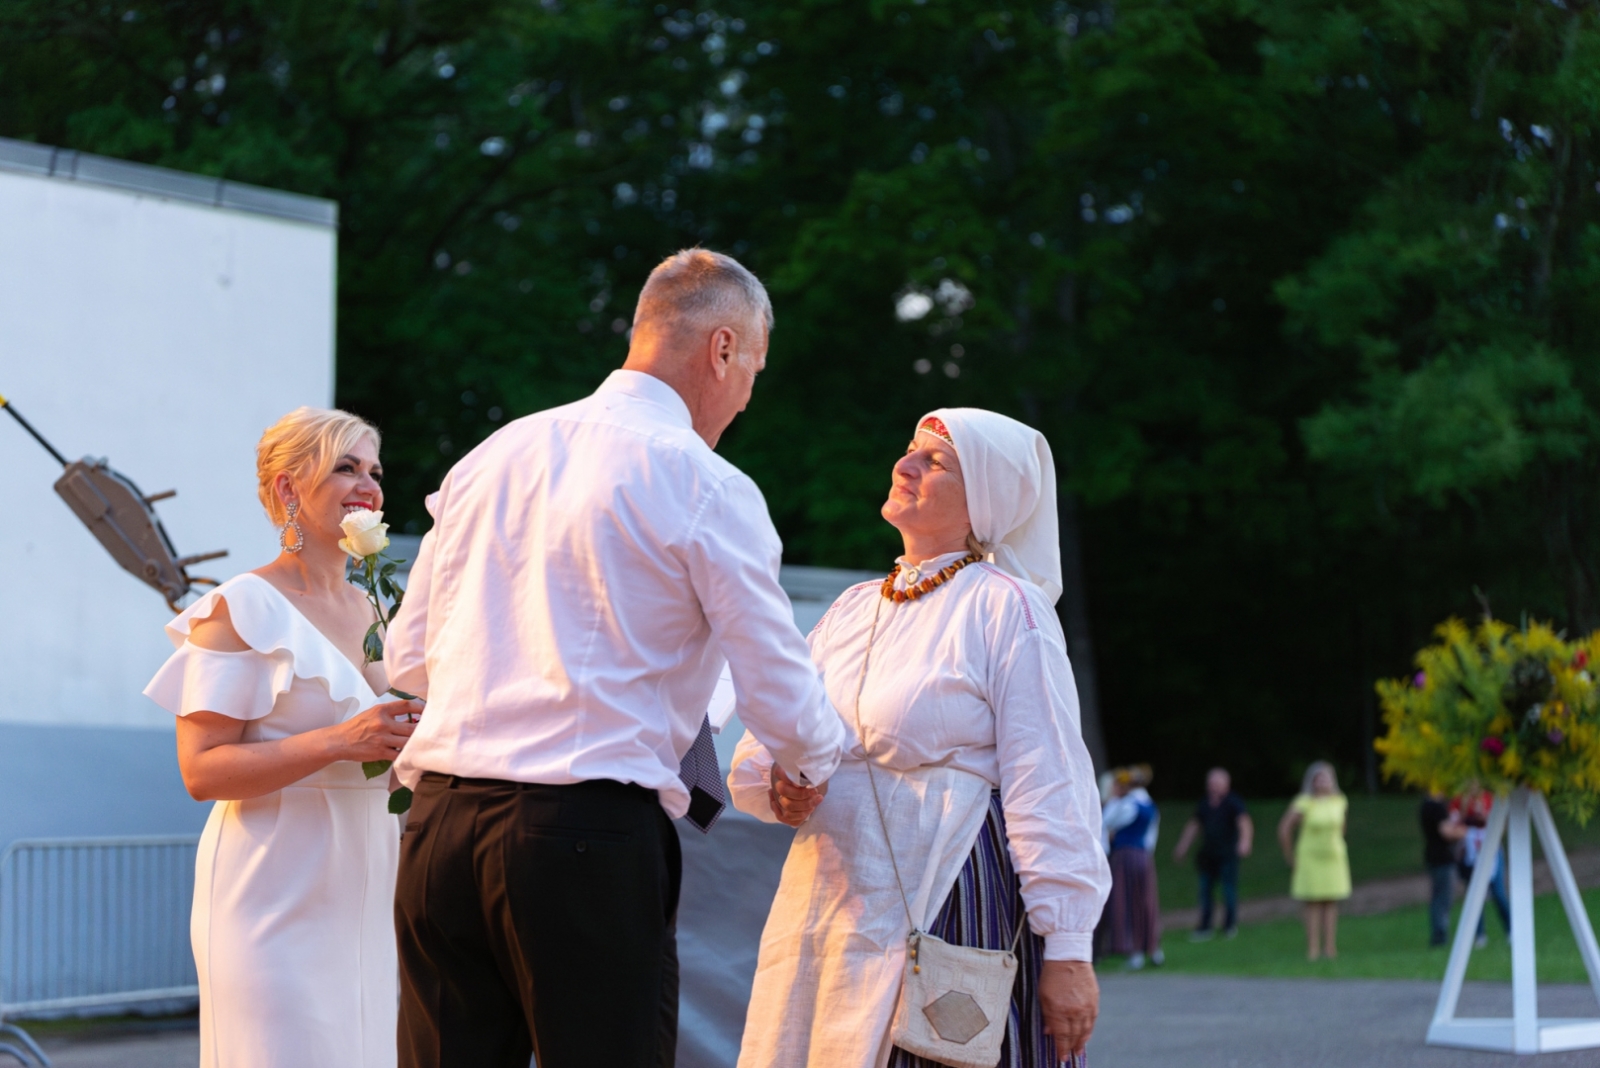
(538, 920)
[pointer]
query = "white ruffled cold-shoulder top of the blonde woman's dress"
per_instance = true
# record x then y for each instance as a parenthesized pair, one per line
(246, 685)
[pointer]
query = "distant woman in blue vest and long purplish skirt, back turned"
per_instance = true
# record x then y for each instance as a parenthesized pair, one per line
(1132, 925)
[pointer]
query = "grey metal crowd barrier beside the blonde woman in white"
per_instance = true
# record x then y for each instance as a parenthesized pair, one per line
(94, 923)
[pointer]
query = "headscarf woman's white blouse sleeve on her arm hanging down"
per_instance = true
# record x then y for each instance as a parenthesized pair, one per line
(1047, 787)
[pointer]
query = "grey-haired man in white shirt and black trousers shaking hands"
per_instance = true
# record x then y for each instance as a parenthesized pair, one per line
(590, 570)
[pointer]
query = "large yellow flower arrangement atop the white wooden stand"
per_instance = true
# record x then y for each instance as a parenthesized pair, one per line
(1498, 707)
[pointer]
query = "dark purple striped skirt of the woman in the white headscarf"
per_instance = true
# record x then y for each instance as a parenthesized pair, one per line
(982, 912)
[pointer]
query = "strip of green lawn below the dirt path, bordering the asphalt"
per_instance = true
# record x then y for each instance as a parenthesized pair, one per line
(1391, 946)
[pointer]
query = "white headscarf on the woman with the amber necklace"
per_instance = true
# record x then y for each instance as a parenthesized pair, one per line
(1010, 492)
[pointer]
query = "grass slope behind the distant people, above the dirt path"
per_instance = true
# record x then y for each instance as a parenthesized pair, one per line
(1385, 842)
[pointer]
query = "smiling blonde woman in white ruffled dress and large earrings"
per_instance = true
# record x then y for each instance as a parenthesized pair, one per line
(294, 911)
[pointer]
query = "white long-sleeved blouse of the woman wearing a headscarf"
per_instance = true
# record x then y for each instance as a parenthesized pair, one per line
(974, 677)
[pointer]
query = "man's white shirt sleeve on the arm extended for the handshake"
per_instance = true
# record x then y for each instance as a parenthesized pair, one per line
(734, 560)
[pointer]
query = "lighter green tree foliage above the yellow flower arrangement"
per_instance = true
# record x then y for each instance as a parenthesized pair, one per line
(1462, 300)
